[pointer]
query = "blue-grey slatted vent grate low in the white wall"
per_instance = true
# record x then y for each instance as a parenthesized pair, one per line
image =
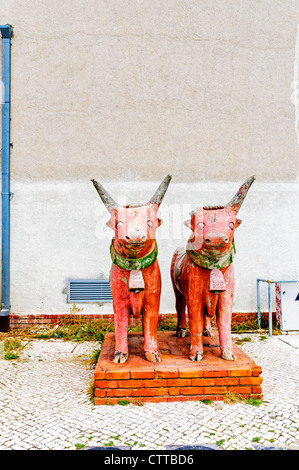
(87, 290)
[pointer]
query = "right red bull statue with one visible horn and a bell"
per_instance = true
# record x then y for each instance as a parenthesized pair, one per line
(203, 274)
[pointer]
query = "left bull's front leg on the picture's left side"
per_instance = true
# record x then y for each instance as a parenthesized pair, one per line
(121, 321)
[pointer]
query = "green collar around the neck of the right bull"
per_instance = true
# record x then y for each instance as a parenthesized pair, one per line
(205, 260)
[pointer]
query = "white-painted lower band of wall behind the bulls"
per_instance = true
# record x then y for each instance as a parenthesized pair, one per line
(58, 232)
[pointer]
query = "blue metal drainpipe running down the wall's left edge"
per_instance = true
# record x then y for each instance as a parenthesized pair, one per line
(6, 33)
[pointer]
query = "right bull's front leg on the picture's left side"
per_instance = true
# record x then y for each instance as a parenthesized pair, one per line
(196, 319)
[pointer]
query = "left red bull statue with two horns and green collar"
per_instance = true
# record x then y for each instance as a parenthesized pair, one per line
(135, 278)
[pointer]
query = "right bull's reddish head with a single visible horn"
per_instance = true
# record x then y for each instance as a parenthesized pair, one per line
(213, 227)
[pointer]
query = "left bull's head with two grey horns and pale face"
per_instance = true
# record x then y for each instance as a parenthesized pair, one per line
(134, 225)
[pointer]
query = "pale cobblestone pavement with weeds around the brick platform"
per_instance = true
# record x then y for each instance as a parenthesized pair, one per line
(45, 404)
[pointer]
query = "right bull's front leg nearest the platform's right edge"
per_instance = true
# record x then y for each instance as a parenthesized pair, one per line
(223, 318)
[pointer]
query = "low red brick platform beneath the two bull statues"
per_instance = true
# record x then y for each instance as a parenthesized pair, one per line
(176, 377)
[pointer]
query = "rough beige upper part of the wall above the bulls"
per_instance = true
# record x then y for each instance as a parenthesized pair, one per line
(132, 90)
